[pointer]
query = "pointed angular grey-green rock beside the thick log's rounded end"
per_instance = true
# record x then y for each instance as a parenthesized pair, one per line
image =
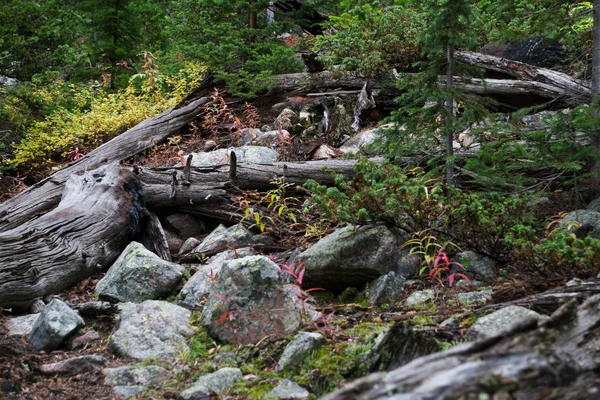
(138, 275)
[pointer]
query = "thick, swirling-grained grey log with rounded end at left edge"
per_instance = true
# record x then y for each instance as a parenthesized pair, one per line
(96, 218)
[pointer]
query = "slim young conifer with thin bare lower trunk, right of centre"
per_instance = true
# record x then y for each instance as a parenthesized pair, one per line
(450, 25)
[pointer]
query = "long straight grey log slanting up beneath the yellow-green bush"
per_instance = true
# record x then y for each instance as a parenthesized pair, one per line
(45, 195)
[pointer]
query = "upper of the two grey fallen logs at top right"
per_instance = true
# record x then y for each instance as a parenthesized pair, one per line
(576, 90)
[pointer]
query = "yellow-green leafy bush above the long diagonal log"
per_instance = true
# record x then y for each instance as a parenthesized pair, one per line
(96, 116)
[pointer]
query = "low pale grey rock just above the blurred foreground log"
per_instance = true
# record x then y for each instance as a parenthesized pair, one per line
(498, 321)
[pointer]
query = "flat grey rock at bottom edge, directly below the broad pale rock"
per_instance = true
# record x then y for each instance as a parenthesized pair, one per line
(131, 380)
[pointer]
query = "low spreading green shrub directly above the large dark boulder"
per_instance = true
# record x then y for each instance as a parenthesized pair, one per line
(414, 201)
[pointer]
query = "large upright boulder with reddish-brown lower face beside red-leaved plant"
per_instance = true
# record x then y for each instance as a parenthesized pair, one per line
(249, 301)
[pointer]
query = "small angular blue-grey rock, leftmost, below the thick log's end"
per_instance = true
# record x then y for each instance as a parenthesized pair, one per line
(54, 325)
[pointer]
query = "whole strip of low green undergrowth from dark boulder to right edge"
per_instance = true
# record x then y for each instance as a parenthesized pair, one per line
(501, 227)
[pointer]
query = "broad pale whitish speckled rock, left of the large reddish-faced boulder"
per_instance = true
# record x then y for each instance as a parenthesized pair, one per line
(151, 329)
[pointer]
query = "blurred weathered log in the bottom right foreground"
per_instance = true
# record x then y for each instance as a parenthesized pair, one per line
(554, 359)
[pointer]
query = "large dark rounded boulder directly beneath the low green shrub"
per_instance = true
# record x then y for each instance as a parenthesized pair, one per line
(353, 256)
